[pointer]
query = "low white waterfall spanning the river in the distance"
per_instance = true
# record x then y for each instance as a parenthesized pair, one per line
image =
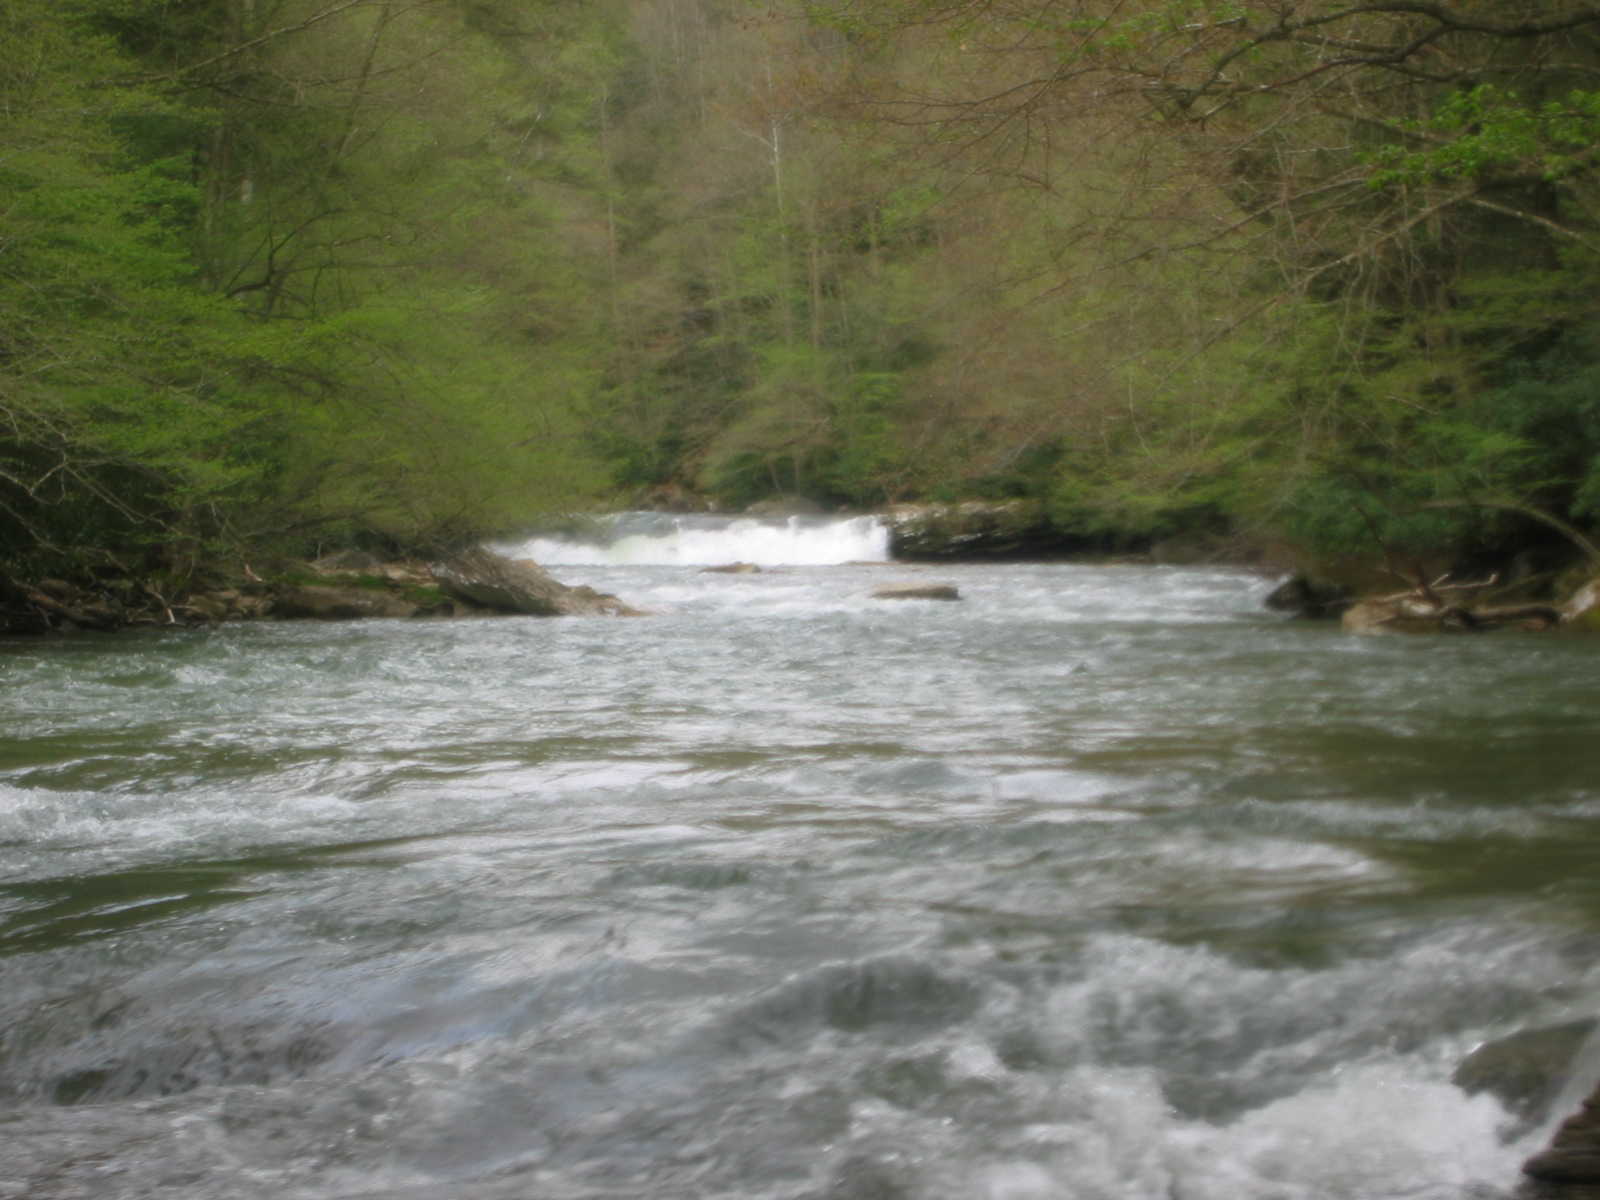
(705, 540)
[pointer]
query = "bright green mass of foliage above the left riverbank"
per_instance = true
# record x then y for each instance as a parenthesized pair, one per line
(310, 286)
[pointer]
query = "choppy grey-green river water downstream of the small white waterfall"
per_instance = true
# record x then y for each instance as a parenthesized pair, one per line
(1098, 884)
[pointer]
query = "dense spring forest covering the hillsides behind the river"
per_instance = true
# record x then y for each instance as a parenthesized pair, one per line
(279, 276)
